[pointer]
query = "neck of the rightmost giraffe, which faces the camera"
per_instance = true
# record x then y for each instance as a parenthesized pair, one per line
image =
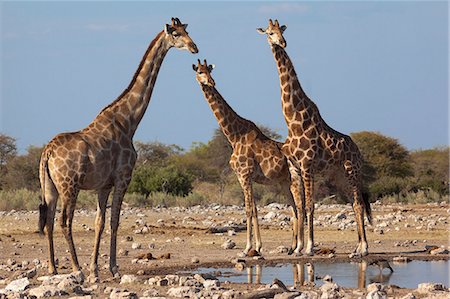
(295, 103)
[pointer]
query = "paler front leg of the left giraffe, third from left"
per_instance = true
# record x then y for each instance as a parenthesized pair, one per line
(99, 226)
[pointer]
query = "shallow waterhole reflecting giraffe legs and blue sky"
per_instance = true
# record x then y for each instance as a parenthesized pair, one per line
(353, 275)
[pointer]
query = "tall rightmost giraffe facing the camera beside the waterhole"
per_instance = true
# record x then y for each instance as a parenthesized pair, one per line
(313, 147)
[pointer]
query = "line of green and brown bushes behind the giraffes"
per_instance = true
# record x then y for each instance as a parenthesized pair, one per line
(167, 175)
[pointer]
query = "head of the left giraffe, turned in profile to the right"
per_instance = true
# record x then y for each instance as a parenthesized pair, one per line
(178, 37)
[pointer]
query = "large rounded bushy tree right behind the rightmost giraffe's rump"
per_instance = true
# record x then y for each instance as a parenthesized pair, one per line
(387, 167)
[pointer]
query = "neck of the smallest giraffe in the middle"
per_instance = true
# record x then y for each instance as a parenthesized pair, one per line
(231, 124)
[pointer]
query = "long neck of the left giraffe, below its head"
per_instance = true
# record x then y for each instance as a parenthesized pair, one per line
(124, 114)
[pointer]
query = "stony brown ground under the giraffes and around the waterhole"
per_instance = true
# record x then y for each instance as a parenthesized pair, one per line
(158, 246)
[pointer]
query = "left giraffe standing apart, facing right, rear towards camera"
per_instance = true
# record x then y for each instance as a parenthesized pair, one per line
(101, 156)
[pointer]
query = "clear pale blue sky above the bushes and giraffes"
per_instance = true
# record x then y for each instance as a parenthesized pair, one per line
(377, 66)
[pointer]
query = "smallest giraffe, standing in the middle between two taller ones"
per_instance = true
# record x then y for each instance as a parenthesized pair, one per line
(255, 158)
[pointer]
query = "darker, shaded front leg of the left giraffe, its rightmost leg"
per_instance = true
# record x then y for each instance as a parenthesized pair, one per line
(119, 192)
